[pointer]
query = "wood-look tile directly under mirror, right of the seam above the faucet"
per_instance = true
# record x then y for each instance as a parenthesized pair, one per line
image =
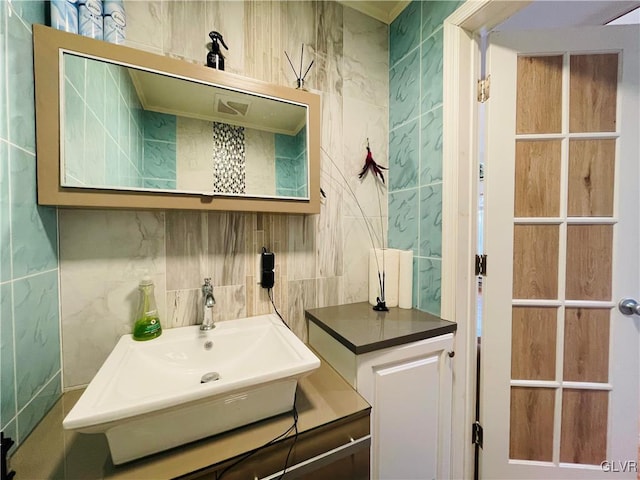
(225, 237)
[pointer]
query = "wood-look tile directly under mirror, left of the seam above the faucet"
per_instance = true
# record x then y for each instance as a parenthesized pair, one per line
(186, 244)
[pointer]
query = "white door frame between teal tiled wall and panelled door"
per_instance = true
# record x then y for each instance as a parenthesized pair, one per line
(459, 206)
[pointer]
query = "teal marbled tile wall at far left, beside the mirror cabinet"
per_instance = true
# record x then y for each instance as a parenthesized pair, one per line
(30, 367)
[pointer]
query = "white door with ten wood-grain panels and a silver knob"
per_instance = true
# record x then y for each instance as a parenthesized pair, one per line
(559, 372)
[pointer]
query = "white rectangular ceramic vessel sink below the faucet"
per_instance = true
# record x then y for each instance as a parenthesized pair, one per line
(188, 384)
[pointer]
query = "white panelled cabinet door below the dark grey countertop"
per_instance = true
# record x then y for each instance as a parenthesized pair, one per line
(409, 388)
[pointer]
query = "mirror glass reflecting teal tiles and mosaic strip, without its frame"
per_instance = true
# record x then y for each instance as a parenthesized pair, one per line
(132, 129)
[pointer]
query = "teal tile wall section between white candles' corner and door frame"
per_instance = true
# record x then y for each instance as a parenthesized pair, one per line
(415, 143)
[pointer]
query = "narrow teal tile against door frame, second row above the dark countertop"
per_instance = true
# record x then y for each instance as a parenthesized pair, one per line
(431, 221)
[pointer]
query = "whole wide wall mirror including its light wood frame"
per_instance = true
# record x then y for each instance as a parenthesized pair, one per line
(123, 128)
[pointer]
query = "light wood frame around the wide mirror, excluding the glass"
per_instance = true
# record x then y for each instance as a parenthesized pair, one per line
(47, 45)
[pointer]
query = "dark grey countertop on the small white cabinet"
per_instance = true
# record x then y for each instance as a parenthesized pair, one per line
(361, 329)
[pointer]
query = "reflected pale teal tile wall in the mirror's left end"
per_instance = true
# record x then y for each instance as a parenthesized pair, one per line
(103, 121)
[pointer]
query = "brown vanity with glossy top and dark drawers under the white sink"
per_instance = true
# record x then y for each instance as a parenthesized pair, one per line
(333, 442)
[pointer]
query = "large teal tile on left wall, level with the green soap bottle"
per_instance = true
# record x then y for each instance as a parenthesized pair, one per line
(37, 333)
